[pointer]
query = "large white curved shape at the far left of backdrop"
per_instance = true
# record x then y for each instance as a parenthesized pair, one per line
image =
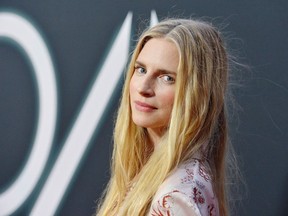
(21, 31)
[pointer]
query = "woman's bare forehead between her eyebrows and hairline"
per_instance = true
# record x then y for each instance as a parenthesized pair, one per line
(159, 52)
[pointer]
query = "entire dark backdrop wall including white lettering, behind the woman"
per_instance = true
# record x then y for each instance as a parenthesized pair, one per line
(61, 73)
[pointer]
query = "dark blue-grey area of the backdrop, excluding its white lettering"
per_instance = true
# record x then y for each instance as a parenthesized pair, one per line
(79, 34)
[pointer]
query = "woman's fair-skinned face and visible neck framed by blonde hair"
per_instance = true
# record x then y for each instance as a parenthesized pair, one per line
(152, 86)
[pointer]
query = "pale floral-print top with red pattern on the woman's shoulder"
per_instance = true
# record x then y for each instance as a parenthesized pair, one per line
(187, 191)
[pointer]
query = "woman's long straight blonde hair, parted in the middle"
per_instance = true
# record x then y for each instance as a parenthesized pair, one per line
(198, 117)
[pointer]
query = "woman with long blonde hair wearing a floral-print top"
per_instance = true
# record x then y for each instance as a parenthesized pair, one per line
(170, 136)
